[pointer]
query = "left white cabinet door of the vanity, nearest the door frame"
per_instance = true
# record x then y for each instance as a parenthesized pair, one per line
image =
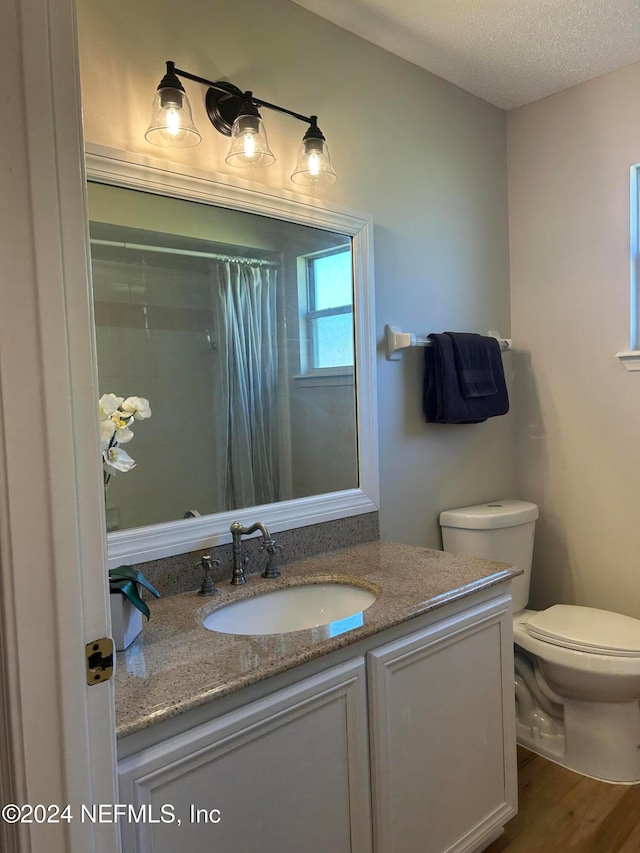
(287, 773)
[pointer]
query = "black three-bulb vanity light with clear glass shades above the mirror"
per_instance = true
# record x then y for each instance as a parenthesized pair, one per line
(234, 113)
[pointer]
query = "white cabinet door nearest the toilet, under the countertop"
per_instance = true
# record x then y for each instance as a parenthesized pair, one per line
(443, 744)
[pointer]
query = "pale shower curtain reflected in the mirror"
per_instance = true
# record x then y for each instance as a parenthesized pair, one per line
(245, 293)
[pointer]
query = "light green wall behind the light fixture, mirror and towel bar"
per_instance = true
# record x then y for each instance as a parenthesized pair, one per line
(426, 159)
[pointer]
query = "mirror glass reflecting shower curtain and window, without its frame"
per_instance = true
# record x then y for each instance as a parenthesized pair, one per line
(238, 329)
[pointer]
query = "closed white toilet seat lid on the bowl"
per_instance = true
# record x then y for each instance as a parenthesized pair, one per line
(586, 629)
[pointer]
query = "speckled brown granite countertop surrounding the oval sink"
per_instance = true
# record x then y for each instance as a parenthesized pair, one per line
(176, 664)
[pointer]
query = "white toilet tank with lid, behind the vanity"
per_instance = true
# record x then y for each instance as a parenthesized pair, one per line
(501, 530)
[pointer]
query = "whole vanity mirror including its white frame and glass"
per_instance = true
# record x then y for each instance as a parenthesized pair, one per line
(245, 317)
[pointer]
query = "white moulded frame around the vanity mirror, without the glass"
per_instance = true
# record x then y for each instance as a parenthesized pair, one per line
(120, 168)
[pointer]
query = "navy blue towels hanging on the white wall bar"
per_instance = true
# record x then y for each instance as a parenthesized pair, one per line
(455, 372)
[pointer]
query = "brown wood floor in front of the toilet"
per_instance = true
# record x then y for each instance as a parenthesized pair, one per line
(562, 812)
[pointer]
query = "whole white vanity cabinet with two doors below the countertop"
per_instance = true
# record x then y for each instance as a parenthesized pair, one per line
(412, 752)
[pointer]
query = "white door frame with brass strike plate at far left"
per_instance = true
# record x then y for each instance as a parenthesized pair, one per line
(57, 732)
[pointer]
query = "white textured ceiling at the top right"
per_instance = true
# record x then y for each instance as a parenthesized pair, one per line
(508, 52)
